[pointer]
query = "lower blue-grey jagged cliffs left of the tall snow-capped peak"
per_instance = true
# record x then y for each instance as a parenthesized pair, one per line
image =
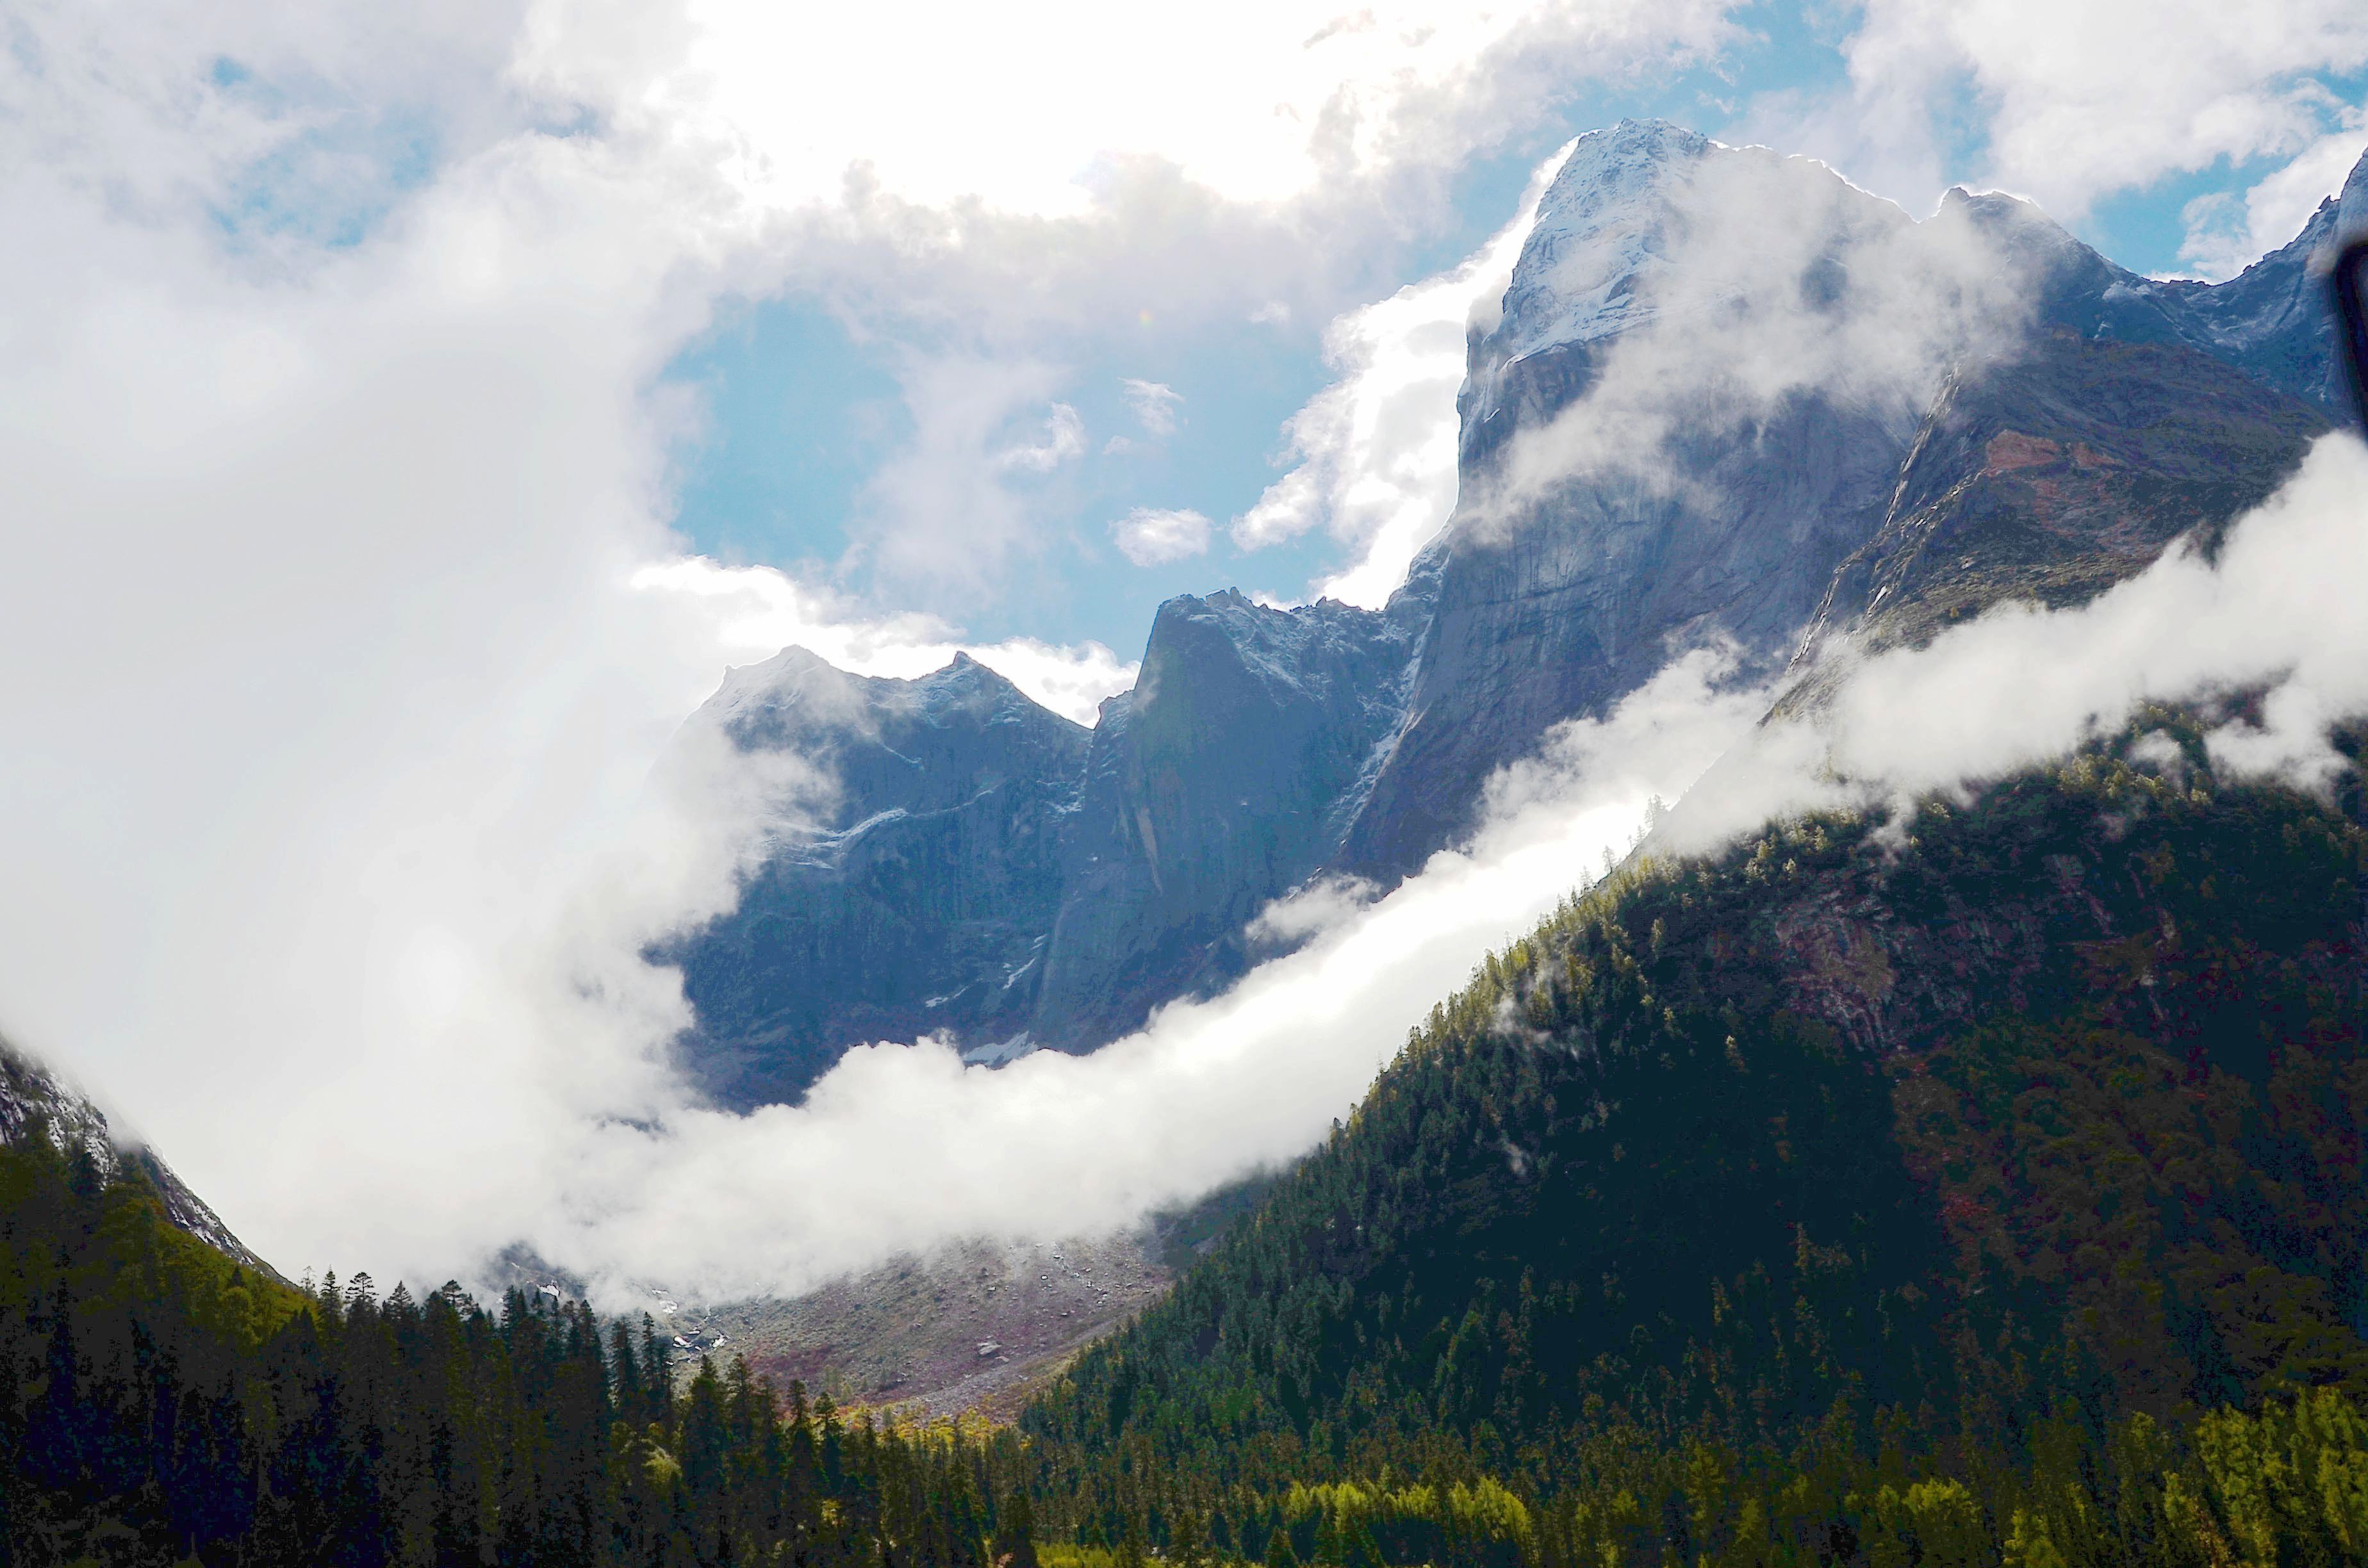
(1000, 878)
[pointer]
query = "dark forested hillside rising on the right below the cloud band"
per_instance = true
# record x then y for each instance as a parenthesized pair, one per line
(1983, 1152)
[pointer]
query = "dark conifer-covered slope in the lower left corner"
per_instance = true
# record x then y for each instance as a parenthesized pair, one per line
(160, 1403)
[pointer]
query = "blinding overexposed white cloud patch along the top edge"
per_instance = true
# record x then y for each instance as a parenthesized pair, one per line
(1029, 110)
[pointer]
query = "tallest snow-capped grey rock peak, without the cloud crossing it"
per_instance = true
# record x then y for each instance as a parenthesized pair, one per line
(1583, 596)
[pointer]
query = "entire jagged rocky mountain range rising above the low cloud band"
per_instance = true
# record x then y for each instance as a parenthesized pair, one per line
(1012, 882)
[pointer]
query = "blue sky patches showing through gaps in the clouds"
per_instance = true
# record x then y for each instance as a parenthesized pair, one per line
(806, 409)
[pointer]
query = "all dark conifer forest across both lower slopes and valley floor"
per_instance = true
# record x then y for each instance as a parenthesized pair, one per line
(1976, 1183)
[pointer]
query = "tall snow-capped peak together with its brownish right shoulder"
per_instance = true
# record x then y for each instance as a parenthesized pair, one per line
(2121, 416)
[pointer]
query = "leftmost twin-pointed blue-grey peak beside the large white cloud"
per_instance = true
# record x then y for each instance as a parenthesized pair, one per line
(920, 897)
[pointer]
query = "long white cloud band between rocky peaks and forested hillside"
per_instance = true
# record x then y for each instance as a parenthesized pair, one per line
(901, 1148)
